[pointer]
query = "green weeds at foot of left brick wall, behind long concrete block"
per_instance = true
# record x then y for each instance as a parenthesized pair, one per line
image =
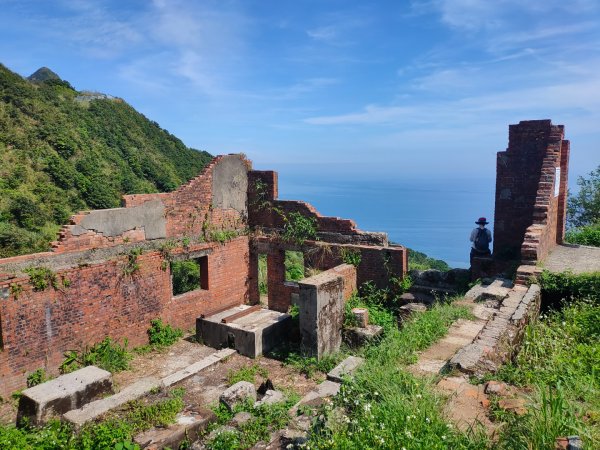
(107, 354)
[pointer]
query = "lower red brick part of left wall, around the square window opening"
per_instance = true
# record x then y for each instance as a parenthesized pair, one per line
(38, 327)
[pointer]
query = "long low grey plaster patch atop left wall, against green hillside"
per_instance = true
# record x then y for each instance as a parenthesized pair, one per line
(113, 222)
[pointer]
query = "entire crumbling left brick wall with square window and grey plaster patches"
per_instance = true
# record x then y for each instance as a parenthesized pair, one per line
(98, 295)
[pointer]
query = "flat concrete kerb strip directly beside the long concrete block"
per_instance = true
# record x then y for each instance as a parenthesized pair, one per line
(93, 410)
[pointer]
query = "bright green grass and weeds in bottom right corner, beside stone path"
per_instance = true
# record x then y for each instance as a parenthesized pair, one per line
(560, 363)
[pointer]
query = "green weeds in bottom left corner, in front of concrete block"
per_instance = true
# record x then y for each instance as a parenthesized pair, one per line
(116, 432)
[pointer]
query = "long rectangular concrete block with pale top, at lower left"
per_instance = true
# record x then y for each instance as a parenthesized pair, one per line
(63, 394)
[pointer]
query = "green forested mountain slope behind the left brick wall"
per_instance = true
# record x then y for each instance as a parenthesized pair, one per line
(61, 152)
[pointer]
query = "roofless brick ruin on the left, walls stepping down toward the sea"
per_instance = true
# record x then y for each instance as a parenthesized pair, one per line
(109, 271)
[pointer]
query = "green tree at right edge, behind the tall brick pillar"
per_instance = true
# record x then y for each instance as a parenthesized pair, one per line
(584, 207)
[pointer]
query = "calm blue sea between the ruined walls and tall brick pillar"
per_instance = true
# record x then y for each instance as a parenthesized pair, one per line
(432, 216)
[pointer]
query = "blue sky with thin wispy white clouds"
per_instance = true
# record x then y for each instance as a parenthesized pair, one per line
(404, 89)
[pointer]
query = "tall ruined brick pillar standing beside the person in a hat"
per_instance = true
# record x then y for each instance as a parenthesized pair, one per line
(529, 220)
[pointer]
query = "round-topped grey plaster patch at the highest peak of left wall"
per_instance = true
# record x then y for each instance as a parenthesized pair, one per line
(230, 184)
